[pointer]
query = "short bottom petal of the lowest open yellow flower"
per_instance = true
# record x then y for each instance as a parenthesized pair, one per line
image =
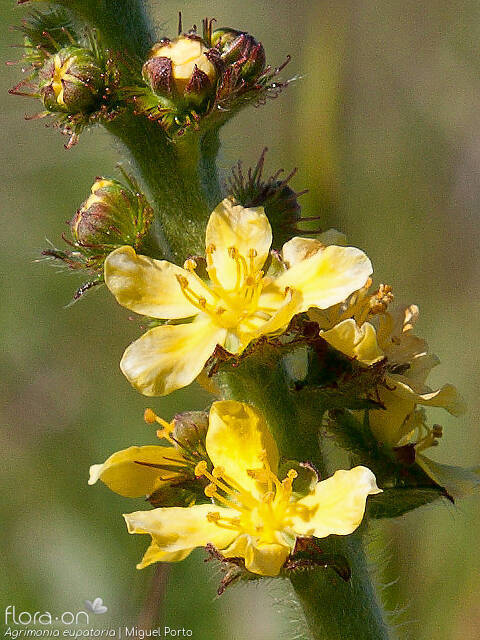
(265, 559)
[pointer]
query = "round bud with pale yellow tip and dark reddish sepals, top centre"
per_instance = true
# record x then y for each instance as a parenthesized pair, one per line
(180, 68)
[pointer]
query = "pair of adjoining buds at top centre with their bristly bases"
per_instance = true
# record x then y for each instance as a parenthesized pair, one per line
(194, 77)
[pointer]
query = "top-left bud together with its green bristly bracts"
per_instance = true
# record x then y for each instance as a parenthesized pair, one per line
(74, 77)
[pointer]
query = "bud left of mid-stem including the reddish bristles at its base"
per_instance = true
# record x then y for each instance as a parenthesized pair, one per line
(113, 215)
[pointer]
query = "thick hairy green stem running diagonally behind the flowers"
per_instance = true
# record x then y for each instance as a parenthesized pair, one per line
(182, 181)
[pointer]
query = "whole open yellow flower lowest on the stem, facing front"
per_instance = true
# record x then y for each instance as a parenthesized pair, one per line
(253, 515)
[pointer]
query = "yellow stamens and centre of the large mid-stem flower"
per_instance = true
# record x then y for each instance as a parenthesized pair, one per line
(230, 307)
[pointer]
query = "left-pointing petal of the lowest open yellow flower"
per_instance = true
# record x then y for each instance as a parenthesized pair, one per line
(175, 529)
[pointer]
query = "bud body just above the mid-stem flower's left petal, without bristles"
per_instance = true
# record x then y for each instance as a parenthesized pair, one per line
(112, 216)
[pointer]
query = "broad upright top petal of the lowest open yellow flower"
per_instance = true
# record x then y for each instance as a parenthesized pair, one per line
(238, 439)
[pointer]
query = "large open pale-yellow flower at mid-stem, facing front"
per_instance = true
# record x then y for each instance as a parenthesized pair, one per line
(238, 304)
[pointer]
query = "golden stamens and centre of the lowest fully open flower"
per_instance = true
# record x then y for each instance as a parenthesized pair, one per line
(262, 516)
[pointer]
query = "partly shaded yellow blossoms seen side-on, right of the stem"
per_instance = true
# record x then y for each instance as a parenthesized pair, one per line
(409, 363)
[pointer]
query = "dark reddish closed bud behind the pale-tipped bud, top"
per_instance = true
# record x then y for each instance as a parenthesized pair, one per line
(238, 47)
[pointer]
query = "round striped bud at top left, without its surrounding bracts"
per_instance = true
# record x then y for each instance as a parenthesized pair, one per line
(70, 81)
